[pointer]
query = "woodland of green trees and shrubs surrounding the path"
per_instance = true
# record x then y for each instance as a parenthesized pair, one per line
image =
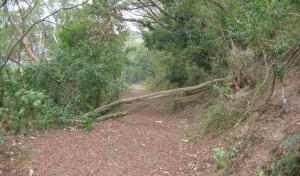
(61, 59)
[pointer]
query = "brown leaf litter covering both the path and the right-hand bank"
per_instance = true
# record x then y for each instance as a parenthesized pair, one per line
(154, 141)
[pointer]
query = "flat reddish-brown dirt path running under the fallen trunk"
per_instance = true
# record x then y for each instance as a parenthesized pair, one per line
(149, 142)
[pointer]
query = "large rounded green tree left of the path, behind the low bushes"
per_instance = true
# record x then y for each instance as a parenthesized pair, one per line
(85, 70)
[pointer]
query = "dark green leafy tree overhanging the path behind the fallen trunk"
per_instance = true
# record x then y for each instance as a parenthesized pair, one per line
(188, 44)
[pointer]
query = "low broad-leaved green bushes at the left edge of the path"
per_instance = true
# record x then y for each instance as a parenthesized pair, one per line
(25, 108)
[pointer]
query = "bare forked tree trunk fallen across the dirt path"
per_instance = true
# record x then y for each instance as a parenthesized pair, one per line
(178, 95)
